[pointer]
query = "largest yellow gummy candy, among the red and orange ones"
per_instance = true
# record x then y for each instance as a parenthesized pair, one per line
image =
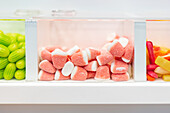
(163, 63)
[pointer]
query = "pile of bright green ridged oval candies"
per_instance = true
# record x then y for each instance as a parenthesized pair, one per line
(12, 56)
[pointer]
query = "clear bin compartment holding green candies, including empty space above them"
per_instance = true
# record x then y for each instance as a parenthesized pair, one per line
(12, 42)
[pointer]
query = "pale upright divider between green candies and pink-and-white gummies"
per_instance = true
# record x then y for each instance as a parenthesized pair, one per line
(31, 50)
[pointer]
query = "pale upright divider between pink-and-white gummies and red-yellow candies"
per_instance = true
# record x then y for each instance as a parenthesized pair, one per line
(140, 51)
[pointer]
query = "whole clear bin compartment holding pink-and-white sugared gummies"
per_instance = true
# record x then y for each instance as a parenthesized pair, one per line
(87, 50)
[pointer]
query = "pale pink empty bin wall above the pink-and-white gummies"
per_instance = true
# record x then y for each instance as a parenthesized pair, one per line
(66, 33)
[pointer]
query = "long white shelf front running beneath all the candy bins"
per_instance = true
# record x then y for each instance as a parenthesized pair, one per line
(85, 93)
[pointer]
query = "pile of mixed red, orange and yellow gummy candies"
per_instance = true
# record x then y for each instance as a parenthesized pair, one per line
(158, 62)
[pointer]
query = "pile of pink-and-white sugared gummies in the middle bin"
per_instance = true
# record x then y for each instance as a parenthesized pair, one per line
(110, 62)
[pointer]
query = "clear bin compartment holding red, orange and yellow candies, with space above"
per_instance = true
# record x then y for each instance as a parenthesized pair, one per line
(158, 34)
